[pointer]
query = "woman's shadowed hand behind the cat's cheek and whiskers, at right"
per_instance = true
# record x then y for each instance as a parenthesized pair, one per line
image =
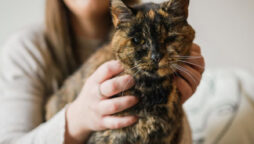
(191, 73)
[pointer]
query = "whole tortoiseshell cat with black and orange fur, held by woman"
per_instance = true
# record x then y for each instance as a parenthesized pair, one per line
(148, 39)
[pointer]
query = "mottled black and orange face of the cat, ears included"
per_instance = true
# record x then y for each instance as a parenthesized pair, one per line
(150, 38)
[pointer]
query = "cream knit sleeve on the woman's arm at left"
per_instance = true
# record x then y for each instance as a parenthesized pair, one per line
(26, 75)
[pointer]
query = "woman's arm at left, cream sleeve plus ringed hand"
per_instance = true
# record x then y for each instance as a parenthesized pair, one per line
(27, 71)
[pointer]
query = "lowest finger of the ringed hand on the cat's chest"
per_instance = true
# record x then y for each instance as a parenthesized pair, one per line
(113, 122)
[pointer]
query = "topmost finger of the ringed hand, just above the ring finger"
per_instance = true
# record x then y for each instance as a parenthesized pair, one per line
(106, 71)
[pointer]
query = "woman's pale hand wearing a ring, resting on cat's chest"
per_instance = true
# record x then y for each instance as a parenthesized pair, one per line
(93, 109)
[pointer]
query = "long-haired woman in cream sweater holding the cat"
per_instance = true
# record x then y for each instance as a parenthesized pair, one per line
(37, 60)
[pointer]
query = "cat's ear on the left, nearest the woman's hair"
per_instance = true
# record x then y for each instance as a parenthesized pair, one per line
(120, 12)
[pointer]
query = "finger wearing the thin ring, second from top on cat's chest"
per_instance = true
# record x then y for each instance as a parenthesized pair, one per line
(116, 85)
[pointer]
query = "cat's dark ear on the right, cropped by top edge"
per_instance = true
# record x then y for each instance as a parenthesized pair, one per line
(176, 7)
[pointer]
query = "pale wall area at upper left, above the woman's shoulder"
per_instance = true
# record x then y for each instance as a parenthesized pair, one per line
(14, 14)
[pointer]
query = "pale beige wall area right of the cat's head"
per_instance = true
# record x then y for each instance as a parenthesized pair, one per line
(225, 30)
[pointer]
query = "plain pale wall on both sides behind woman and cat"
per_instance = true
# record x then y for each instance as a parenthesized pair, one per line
(224, 28)
